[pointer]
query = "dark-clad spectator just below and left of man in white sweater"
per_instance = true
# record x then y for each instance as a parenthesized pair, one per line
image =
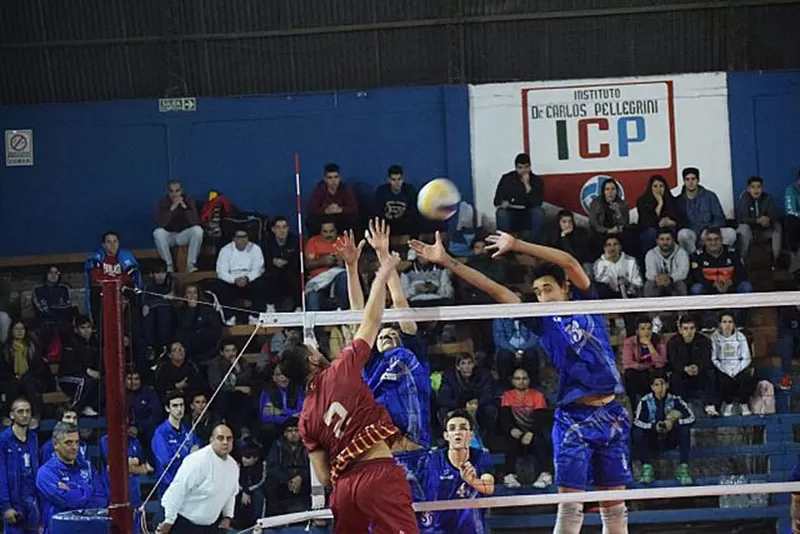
(199, 325)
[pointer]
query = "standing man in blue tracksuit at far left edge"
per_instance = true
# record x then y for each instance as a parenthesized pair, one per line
(19, 461)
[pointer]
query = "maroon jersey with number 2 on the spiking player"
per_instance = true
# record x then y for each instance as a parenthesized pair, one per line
(340, 414)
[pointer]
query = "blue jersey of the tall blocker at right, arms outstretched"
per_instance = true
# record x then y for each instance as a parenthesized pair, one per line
(579, 348)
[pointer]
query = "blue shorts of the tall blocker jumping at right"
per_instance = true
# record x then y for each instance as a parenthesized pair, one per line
(591, 446)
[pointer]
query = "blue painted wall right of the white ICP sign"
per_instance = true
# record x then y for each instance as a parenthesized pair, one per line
(764, 111)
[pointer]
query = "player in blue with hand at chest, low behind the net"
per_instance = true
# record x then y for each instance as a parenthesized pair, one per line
(456, 472)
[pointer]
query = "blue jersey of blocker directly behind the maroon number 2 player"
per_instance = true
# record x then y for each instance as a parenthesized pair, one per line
(402, 384)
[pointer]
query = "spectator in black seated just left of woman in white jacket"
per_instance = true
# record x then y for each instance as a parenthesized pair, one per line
(689, 361)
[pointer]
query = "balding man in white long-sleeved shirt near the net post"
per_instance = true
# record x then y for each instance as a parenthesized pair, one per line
(202, 497)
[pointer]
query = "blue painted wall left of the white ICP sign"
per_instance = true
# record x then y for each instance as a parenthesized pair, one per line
(103, 166)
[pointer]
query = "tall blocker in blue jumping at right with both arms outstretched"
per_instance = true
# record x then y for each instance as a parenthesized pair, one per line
(591, 429)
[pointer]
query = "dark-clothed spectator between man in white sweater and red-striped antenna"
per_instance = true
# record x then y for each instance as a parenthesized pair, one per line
(282, 259)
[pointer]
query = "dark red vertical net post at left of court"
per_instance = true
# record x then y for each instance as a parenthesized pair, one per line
(116, 411)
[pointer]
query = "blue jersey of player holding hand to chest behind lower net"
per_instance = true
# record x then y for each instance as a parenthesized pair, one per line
(443, 482)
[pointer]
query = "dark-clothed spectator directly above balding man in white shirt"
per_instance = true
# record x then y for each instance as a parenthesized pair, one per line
(234, 401)
